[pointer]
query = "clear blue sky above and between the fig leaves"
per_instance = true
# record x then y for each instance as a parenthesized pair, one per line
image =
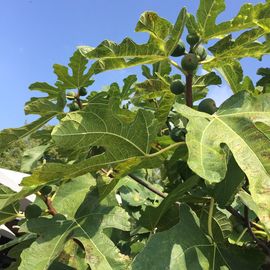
(35, 34)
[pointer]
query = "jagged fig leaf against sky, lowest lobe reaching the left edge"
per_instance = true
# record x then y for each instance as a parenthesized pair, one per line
(52, 105)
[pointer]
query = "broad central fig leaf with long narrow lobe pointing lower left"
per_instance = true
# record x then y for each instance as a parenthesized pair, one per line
(101, 124)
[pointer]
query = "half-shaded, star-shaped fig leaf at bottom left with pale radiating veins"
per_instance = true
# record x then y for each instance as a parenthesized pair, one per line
(86, 227)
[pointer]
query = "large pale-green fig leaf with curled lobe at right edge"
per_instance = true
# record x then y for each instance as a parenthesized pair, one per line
(234, 124)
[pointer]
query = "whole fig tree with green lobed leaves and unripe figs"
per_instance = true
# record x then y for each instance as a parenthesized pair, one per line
(145, 179)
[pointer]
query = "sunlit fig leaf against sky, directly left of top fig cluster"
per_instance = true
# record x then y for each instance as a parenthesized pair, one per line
(163, 39)
